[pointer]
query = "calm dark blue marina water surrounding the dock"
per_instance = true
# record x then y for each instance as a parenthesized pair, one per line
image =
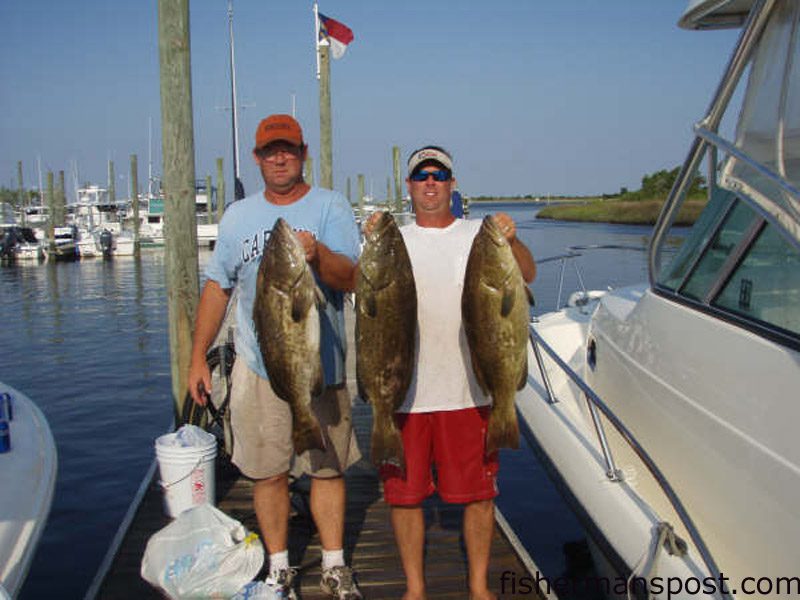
(88, 342)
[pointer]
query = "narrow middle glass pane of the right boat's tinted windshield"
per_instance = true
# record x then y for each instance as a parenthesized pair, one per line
(726, 239)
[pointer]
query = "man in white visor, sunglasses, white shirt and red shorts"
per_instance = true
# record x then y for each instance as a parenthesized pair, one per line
(443, 419)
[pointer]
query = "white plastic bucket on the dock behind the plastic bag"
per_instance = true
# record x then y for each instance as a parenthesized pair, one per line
(187, 472)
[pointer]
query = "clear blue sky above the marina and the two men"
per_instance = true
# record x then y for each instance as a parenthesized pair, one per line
(531, 97)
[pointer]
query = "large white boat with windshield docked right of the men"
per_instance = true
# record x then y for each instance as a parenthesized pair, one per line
(668, 410)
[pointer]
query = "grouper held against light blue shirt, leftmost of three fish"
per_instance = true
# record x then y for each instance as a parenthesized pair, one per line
(287, 323)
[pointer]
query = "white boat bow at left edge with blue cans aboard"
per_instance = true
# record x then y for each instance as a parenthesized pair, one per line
(28, 475)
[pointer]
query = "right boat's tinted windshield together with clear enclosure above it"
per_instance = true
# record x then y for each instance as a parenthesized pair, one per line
(741, 260)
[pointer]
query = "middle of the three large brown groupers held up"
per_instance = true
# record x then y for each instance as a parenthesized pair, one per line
(386, 325)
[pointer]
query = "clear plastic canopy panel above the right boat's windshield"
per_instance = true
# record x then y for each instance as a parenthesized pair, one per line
(767, 167)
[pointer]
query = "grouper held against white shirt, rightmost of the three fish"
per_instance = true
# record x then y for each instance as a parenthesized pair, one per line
(494, 309)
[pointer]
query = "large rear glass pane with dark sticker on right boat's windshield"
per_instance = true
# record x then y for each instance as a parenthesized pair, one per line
(766, 284)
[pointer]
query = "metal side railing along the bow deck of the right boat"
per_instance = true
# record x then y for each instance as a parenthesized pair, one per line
(675, 545)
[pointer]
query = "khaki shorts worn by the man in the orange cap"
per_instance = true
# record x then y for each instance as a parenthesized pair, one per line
(262, 430)
